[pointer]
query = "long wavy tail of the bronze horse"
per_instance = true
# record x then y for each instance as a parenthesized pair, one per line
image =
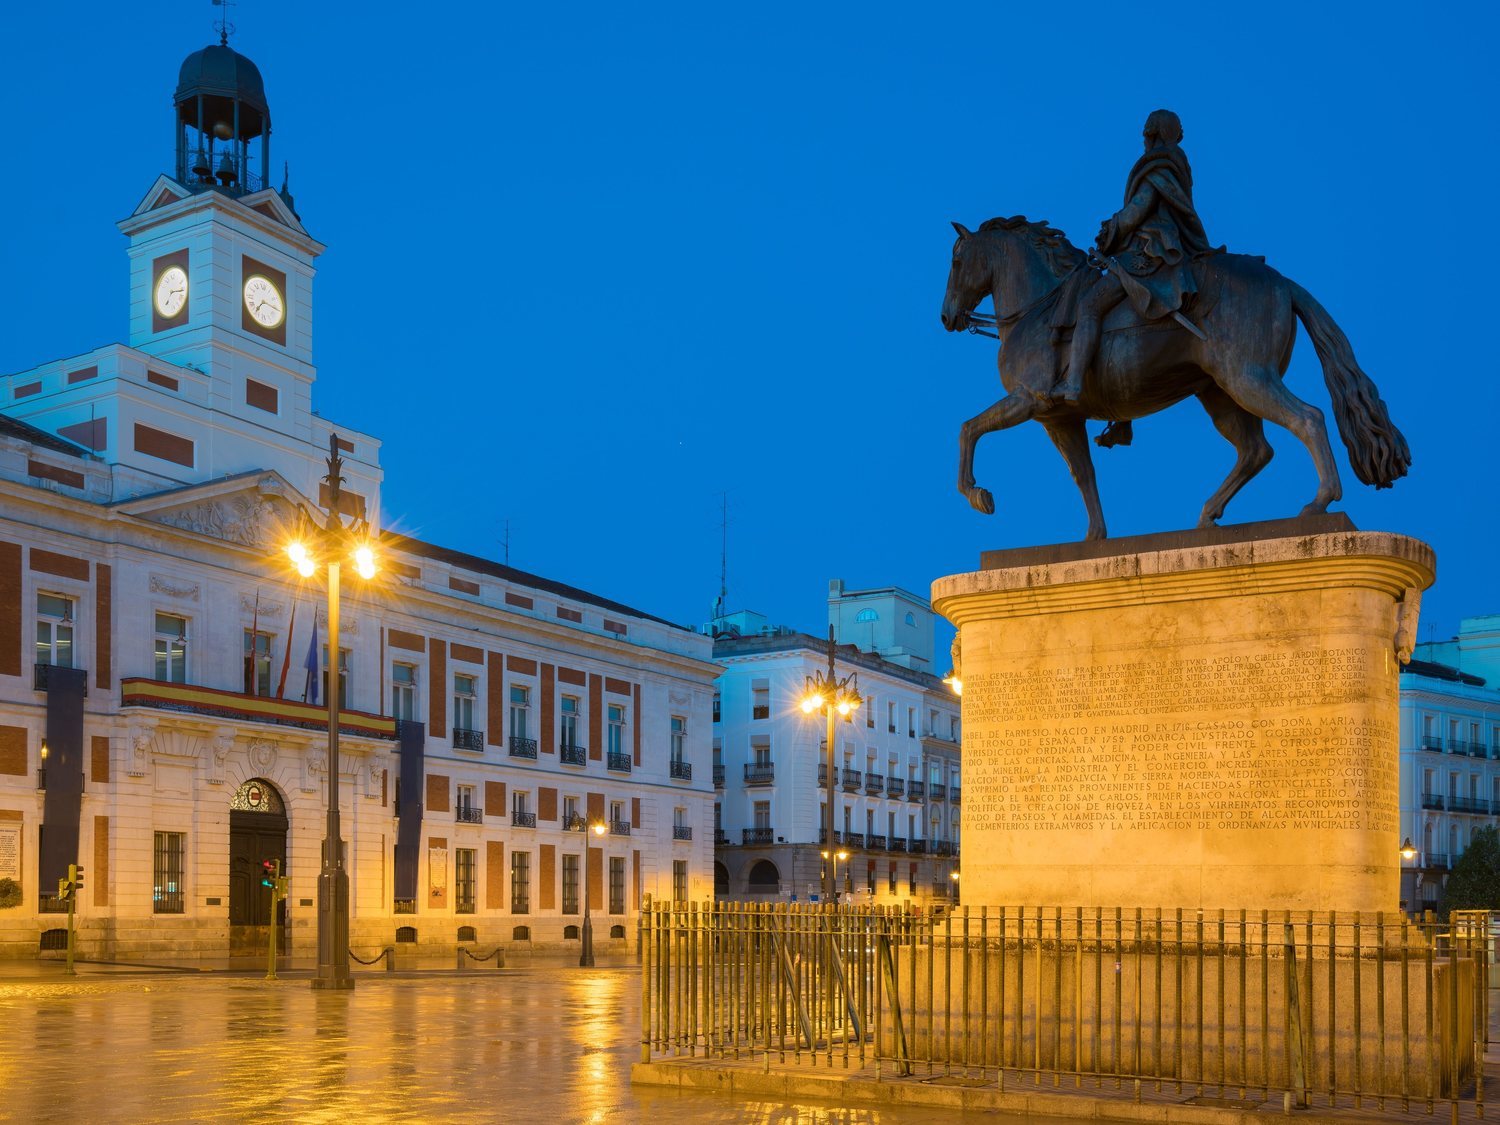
(1378, 452)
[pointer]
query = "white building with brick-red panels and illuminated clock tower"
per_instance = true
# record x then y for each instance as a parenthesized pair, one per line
(155, 638)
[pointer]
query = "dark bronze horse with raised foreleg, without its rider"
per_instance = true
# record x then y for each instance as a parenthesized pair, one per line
(1247, 313)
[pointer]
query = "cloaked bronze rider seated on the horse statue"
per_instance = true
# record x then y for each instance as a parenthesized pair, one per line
(1154, 239)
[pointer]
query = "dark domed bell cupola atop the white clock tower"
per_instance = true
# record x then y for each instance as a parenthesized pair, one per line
(223, 122)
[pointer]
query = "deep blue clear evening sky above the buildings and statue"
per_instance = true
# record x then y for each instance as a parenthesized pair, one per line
(653, 254)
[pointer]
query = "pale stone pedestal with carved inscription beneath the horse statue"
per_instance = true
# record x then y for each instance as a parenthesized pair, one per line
(1189, 721)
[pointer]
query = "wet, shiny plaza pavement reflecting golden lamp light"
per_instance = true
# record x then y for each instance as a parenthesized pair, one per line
(547, 1043)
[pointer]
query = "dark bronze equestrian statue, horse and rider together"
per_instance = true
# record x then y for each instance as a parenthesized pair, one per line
(1153, 316)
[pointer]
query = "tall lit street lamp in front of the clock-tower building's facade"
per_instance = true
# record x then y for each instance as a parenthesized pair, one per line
(334, 544)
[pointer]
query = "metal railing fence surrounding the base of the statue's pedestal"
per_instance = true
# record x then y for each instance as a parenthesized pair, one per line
(1378, 1010)
